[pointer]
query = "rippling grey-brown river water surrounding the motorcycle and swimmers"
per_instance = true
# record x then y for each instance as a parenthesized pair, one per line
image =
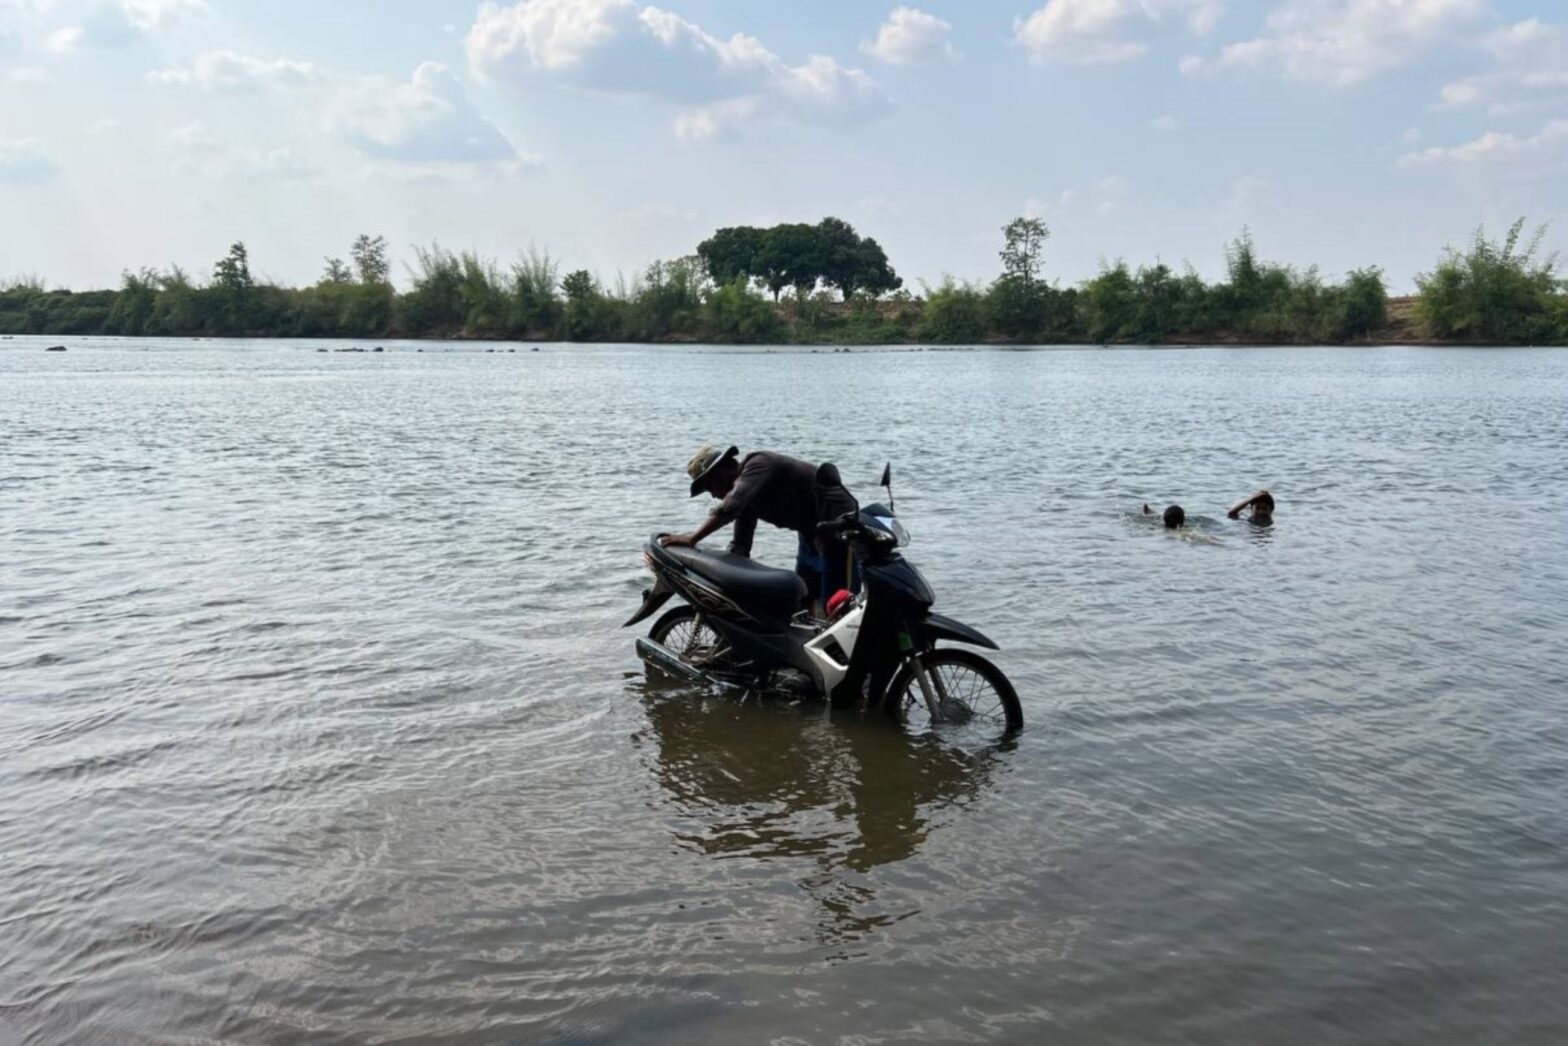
(318, 724)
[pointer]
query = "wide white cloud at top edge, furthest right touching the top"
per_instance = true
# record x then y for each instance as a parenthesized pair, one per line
(1343, 43)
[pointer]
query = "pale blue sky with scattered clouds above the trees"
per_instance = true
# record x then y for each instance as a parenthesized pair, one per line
(612, 134)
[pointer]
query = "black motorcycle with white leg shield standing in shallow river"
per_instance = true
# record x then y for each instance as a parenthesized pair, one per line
(741, 625)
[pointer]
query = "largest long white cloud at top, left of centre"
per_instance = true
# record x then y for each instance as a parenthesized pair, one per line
(615, 46)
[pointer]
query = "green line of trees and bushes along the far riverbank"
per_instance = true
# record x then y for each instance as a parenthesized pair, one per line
(840, 289)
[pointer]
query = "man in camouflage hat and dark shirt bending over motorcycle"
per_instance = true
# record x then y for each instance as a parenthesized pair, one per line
(780, 490)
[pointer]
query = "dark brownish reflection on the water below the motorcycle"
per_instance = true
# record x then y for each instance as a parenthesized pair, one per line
(766, 777)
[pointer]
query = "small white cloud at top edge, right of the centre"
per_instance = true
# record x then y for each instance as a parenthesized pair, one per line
(1087, 32)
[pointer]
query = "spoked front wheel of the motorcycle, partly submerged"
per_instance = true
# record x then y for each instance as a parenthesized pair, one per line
(971, 692)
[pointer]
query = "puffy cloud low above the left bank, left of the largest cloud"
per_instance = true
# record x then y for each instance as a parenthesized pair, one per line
(427, 120)
